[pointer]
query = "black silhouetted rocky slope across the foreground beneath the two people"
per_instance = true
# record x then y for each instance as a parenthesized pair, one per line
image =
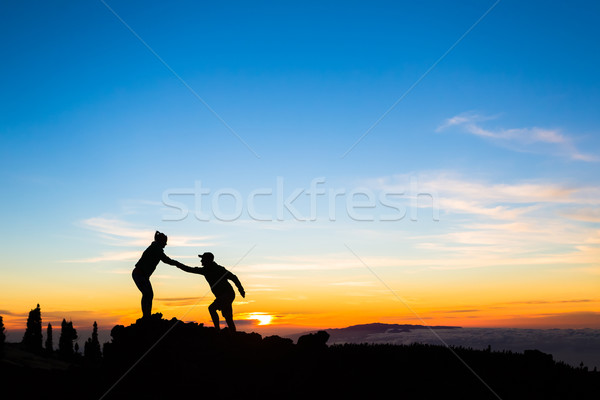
(168, 358)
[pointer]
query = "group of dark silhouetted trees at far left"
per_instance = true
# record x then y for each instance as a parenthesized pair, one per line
(67, 349)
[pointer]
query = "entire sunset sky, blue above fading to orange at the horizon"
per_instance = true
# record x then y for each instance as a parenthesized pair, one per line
(400, 162)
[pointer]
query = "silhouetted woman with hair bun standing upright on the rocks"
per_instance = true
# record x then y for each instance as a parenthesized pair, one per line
(146, 266)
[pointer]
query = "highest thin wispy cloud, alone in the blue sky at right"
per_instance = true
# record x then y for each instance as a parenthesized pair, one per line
(528, 139)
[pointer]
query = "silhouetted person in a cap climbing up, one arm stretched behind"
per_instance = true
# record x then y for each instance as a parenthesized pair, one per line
(217, 277)
